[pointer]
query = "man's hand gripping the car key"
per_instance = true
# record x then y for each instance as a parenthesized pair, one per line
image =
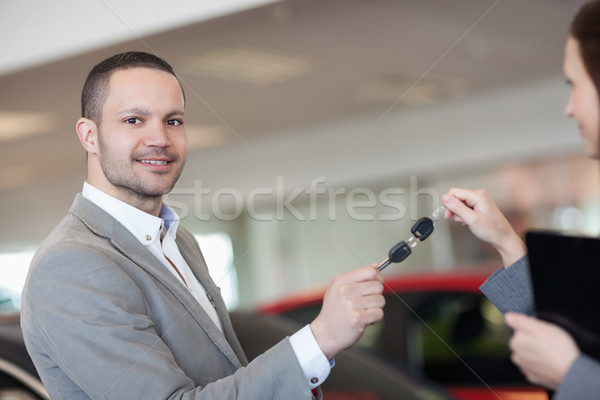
(352, 301)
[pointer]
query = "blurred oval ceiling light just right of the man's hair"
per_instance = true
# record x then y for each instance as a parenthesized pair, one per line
(247, 64)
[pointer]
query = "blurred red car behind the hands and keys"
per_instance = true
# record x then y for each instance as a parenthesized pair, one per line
(438, 326)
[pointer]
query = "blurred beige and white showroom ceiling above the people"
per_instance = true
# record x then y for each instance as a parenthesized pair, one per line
(371, 90)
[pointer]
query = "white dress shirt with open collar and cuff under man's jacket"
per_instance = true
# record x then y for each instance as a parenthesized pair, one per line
(149, 229)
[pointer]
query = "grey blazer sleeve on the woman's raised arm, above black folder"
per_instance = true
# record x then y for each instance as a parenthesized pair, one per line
(510, 289)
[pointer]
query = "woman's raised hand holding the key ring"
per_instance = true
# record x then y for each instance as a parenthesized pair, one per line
(475, 209)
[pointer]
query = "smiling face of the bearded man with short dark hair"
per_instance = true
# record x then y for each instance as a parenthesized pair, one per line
(142, 142)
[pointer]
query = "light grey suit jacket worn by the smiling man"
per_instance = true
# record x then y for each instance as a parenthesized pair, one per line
(104, 319)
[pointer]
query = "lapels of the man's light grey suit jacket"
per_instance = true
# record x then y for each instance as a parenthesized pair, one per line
(102, 224)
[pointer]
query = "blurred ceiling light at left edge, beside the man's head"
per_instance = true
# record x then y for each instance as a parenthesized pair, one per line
(15, 125)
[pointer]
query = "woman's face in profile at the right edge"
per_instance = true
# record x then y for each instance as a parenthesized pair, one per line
(583, 103)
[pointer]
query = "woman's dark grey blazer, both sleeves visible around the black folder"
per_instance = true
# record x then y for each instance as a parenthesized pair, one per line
(510, 289)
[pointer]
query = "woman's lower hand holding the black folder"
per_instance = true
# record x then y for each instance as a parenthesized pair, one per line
(544, 352)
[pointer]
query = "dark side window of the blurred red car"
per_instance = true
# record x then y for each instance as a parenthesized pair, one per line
(450, 337)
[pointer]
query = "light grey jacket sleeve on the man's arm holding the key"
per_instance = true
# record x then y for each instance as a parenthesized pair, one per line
(86, 326)
